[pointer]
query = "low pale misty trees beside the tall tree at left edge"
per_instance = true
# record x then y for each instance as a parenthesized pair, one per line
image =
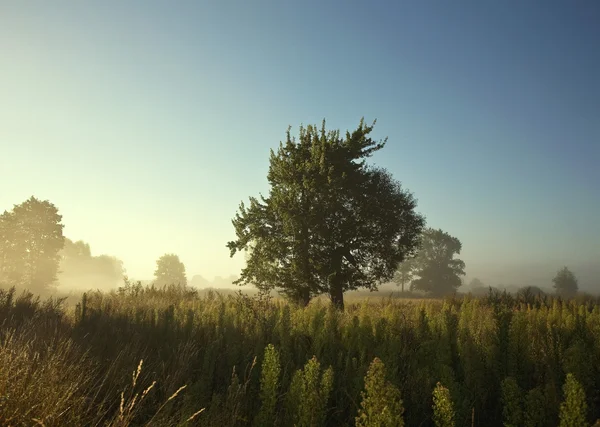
(79, 268)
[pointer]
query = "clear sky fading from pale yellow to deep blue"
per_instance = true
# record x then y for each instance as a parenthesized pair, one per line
(147, 122)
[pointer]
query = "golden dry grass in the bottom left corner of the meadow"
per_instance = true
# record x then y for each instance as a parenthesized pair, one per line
(47, 379)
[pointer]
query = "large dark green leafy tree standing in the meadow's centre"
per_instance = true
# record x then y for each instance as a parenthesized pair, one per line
(331, 223)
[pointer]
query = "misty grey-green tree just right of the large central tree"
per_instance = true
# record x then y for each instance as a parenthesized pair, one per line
(437, 270)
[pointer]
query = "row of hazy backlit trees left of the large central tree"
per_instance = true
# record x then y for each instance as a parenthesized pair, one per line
(35, 255)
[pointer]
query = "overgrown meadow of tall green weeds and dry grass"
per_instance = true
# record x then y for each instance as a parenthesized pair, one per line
(170, 357)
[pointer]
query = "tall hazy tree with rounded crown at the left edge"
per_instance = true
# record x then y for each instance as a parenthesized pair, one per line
(31, 236)
